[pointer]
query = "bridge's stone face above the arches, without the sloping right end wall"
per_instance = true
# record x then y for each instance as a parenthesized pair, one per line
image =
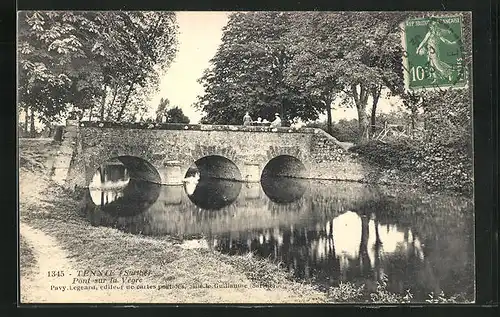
(158, 144)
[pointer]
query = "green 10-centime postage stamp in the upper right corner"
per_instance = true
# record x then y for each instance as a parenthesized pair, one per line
(433, 56)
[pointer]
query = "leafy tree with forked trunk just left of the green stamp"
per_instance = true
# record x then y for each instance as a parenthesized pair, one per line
(355, 53)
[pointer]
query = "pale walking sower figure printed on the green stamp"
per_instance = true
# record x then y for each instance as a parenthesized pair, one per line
(429, 46)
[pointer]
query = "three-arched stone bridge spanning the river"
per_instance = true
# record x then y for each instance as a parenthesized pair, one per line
(165, 153)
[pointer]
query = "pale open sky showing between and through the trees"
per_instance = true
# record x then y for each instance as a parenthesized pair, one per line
(200, 34)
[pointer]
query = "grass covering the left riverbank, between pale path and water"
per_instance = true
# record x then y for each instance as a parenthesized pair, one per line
(53, 210)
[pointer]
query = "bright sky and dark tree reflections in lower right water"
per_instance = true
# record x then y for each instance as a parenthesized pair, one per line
(348, 247)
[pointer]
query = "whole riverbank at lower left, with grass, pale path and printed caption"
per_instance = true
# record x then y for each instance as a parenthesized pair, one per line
(55, 238)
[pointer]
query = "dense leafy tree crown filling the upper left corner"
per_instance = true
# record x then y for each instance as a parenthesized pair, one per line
(56, 63)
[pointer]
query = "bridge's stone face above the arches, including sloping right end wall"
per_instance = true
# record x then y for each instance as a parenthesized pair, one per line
(323, 156)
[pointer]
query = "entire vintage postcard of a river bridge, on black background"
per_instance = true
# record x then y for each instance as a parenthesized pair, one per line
(245, 157)
